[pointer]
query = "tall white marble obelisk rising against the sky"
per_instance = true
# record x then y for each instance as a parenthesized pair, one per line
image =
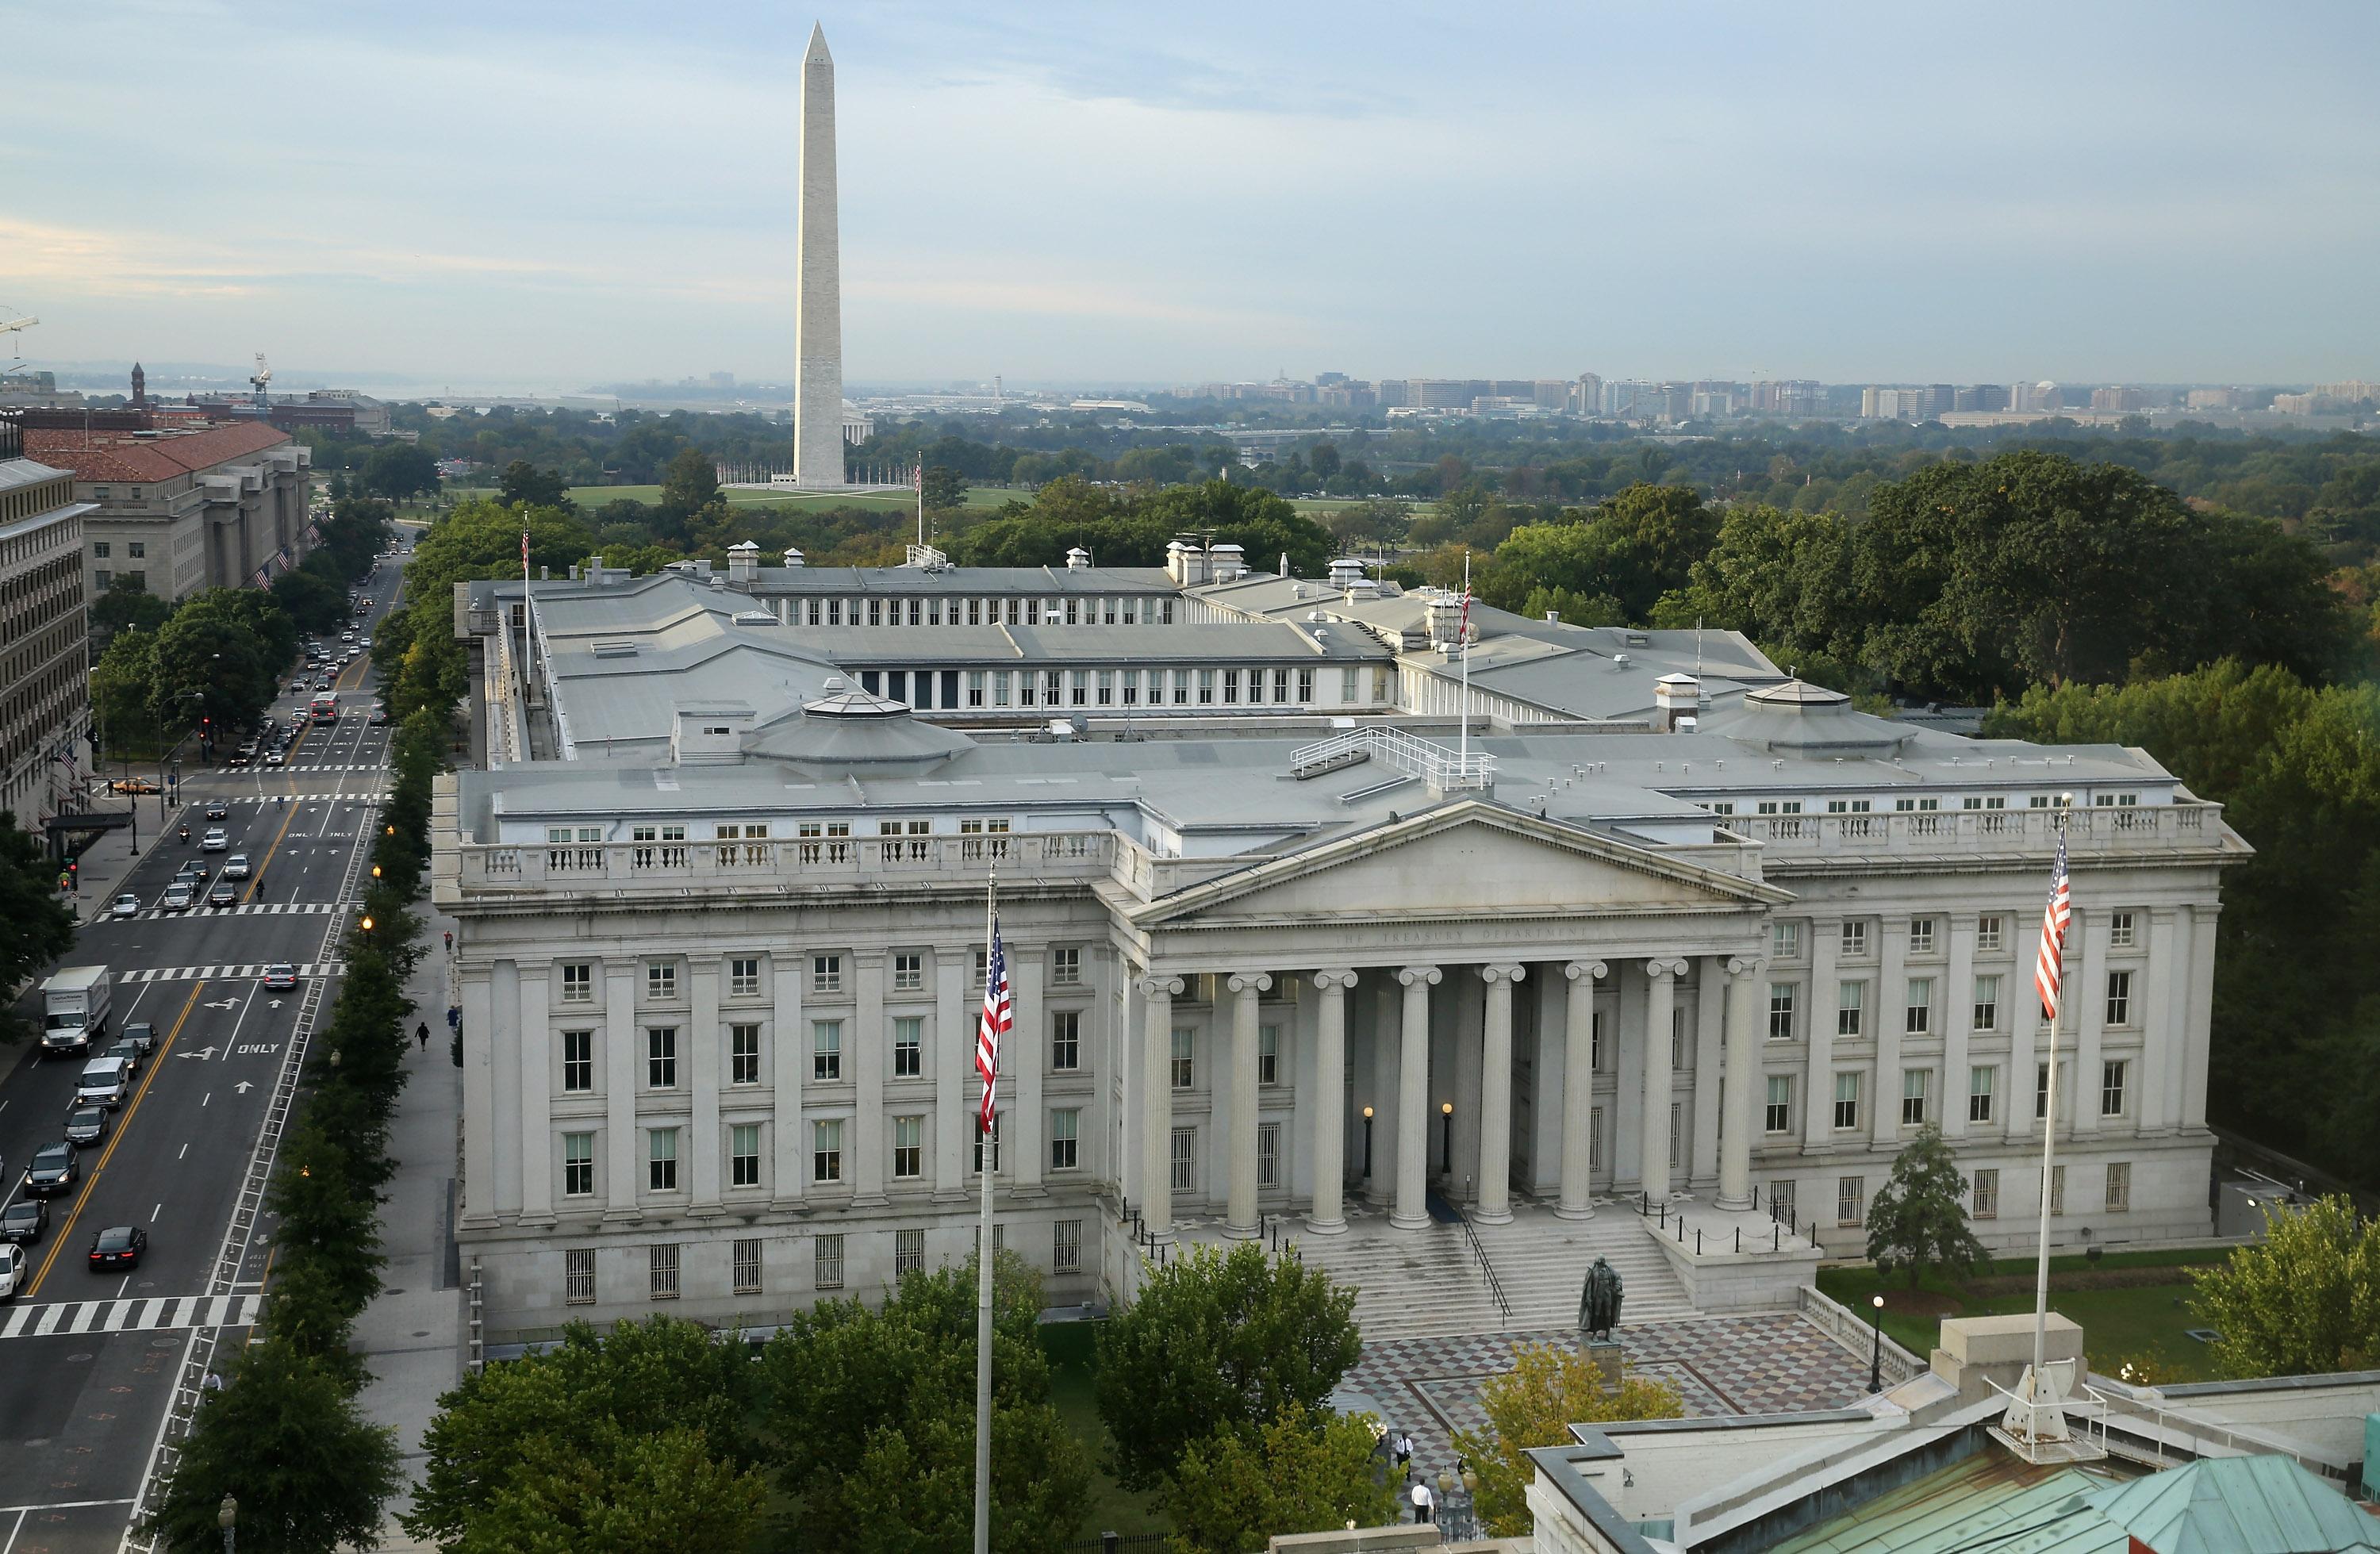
(818, 332)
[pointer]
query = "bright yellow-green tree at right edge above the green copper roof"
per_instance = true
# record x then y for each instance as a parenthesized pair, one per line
(2305, 1301)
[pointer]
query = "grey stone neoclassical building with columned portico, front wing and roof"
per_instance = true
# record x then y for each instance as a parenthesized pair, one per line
(720, 994)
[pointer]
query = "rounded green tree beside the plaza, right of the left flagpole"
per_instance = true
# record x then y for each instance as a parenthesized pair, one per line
(1220, 1343)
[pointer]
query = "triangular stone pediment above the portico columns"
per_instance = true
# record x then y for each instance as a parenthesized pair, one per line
(1465, 860)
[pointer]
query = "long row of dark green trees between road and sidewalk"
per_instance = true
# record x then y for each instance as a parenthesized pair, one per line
(284, 1434)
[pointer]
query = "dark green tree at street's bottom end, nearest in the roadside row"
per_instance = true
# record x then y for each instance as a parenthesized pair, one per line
(289, 1443)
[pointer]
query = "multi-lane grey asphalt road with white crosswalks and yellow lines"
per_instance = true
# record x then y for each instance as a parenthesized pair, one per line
(87, 1360)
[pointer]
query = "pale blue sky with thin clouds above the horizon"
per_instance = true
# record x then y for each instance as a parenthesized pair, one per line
(549, 196)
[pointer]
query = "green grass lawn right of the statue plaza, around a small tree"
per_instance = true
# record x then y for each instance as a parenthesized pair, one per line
(2119, 1320)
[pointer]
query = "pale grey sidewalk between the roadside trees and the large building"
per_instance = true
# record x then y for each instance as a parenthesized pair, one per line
(411, 1336)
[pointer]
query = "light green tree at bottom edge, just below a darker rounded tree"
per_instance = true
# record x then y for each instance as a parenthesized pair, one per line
(1305, 1472)
